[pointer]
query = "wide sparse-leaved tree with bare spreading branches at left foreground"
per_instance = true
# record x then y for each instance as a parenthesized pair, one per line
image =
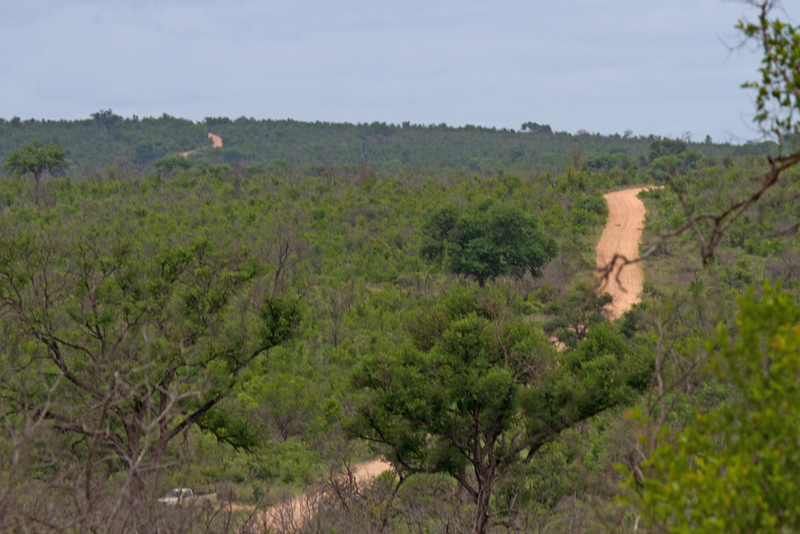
(126, 345)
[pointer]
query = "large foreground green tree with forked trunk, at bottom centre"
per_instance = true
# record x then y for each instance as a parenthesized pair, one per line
(477, 389)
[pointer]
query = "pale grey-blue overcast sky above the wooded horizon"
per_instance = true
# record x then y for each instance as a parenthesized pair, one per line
(661, 67)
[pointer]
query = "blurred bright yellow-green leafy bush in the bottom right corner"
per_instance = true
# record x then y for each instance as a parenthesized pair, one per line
(736, 470)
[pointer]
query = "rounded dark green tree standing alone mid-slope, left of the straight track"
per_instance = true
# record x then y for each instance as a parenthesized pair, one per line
(494, 239)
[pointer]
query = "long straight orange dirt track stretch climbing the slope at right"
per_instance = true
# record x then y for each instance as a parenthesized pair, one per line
(621, 236)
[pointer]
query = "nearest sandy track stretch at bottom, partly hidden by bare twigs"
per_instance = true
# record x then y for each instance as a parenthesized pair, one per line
(294, 513)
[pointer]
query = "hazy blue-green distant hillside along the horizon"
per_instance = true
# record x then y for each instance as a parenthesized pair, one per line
(108, 139)
